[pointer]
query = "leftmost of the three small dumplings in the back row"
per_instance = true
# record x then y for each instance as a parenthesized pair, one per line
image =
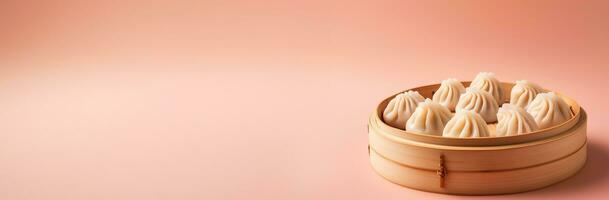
(449, 92)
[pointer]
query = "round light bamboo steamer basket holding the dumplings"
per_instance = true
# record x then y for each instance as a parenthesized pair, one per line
(478, 166)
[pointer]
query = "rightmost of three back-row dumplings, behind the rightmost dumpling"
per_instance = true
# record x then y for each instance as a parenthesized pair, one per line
(524, 92)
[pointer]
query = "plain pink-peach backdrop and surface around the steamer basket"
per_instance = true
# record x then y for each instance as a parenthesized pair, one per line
(263, 99)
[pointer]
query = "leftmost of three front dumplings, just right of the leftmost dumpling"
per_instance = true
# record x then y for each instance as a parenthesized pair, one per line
(429, 118)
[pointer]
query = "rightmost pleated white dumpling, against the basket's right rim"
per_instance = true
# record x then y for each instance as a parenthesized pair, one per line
(548, 109)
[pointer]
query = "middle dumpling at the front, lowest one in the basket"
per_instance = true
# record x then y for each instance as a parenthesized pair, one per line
(466, 124)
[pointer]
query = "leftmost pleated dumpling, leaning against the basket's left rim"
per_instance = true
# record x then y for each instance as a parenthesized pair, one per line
(401, 107)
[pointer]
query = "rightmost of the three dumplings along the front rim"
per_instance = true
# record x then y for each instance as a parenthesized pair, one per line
(514, 120)
